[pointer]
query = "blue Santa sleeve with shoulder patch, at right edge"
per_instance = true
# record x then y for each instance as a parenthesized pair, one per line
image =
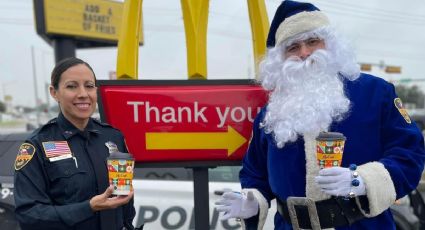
(403, 146)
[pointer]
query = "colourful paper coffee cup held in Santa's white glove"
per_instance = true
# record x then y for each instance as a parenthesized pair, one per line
(329, 149)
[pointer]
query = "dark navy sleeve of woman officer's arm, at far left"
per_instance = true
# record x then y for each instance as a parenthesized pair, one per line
(34, 209)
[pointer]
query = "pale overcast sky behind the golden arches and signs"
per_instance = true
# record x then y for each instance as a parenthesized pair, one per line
(381, 31)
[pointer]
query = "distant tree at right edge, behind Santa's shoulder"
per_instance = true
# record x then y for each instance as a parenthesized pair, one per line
(411, 95)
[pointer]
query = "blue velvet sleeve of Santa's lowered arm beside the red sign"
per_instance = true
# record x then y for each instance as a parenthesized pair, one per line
(254, 172)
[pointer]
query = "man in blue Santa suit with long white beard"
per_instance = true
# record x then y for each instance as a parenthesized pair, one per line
(316, 86)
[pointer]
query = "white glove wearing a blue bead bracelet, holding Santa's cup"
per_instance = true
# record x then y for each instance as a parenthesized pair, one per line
(337, 181)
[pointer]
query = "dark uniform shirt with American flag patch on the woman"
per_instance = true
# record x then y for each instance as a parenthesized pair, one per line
(59, 169)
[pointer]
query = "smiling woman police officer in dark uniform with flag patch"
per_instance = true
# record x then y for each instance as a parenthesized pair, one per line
(61, 177)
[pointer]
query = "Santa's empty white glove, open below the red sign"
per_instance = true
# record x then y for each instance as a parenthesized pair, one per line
(237, 205)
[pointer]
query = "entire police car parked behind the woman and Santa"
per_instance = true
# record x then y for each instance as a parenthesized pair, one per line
(164, 196)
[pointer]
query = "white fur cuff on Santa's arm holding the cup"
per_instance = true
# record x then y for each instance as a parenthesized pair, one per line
(380, 189)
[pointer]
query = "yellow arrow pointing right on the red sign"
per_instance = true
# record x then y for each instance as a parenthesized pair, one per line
(230, 140)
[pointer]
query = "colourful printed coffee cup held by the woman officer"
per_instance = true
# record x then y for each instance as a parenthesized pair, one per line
(120, 171)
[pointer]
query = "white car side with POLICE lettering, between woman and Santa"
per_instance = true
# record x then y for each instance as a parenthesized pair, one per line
(164, 198)
